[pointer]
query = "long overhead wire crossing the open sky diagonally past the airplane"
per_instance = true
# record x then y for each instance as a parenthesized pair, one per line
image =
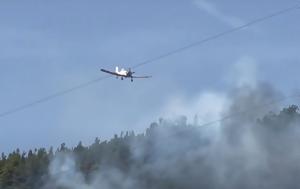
(170, 53)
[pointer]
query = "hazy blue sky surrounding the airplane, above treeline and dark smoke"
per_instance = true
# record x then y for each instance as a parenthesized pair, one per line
(48, 46)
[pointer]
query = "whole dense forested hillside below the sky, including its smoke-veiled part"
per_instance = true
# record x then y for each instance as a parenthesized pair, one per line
(239, 153)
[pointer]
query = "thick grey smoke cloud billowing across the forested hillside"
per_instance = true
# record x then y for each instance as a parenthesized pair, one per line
(248, 151)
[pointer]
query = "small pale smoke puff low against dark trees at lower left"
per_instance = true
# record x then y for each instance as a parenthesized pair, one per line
(64, 173)
